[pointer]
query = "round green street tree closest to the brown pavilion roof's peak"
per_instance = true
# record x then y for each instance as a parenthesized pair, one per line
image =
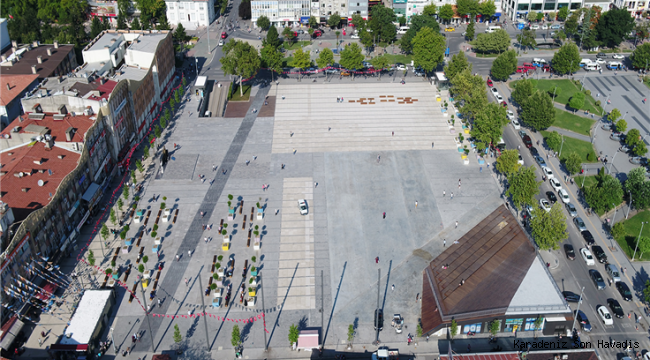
(548, 228)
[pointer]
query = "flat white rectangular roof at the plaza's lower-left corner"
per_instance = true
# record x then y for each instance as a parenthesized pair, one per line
(85, 319)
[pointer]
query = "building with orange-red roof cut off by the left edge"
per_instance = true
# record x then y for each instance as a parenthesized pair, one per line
(14, 87)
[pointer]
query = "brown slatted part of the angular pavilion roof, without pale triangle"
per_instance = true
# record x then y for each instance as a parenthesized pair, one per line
(490, 261)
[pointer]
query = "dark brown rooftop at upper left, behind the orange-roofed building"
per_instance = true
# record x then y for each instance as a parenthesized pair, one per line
(30, 57)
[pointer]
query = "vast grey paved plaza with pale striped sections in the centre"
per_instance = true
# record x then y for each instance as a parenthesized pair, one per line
(345, 161)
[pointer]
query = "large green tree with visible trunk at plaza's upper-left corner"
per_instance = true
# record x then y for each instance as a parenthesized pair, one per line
(240, 59)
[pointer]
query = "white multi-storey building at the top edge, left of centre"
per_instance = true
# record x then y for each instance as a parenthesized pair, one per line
(192, 14)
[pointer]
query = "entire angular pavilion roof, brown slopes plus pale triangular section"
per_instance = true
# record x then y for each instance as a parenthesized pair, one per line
(495, 254)
